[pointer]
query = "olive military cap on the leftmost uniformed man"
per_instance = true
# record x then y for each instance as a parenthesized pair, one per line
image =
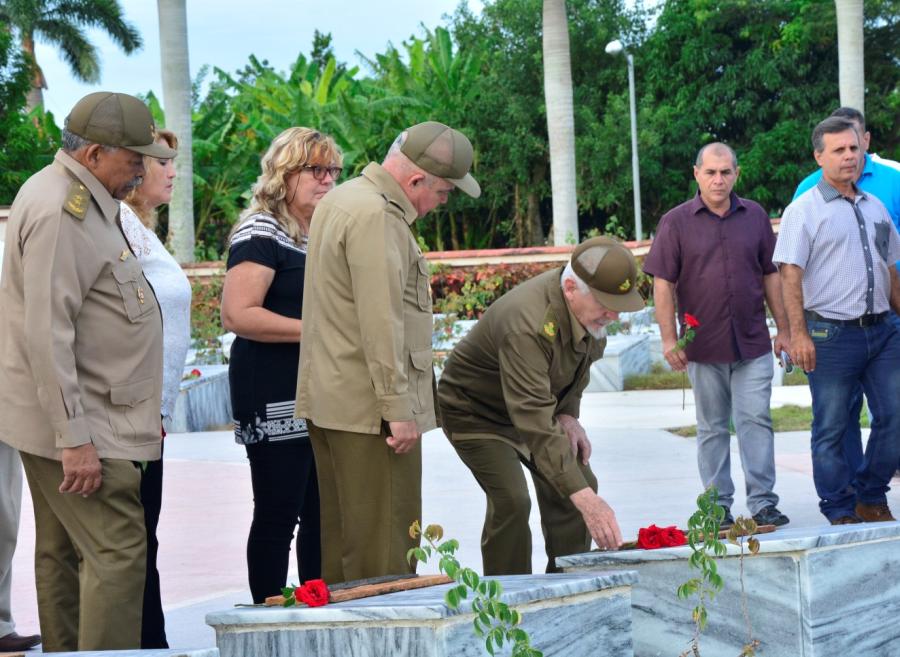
(119, 120)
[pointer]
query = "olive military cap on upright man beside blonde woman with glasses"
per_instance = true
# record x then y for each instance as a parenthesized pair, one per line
(443, 152)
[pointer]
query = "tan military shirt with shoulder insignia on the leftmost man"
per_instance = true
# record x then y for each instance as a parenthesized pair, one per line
(80, 329)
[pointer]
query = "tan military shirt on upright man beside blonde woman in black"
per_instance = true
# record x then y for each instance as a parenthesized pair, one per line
(365, 354)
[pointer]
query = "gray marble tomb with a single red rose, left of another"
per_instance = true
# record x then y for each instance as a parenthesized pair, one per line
(575, 615)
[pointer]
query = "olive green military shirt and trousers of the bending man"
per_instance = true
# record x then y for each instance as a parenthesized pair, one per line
(524, 363)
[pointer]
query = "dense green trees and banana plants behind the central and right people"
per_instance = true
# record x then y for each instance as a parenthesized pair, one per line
(757, 74)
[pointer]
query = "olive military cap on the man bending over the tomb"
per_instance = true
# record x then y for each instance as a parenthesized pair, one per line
(610, 270)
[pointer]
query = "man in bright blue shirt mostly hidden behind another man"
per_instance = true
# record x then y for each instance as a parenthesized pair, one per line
(881, 178)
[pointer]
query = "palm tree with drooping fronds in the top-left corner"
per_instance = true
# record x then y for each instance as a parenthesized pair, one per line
(62, 23)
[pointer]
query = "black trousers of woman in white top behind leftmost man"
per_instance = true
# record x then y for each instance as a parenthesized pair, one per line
(153, 623)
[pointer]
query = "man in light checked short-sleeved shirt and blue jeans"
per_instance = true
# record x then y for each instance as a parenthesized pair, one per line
(837, 250)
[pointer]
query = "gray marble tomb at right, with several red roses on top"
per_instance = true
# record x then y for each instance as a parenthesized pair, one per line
(812, 592)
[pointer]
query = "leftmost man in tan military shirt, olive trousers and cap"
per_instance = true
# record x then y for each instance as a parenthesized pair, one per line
(80, 386)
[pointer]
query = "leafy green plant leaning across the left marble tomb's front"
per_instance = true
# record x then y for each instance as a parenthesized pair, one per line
(495, 621)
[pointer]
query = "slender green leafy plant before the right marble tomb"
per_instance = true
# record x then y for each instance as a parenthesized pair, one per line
(703, 539)
